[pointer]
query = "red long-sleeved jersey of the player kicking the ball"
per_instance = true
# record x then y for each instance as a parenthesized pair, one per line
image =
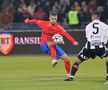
(48, 31)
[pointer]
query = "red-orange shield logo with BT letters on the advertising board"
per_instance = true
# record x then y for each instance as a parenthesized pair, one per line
(6, 43)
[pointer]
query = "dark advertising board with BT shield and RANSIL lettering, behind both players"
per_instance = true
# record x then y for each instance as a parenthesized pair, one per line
(18, 43)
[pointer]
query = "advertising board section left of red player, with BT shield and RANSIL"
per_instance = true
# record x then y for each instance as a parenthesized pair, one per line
(19, 43)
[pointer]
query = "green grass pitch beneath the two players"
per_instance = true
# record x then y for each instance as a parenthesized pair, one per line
(36, 73)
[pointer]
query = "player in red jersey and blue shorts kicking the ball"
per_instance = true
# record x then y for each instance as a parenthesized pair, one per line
(49, 28)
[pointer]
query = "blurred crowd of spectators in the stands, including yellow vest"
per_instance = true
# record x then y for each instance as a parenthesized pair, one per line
(72, 13)
